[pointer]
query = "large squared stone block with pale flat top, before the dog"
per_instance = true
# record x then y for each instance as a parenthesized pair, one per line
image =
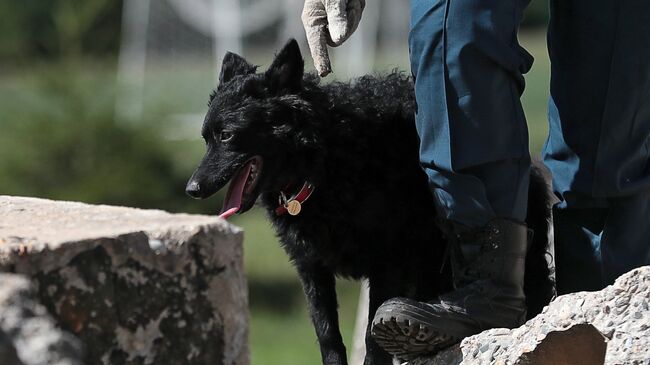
(136, 286)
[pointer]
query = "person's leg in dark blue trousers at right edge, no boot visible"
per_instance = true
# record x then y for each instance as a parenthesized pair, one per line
(598, 143)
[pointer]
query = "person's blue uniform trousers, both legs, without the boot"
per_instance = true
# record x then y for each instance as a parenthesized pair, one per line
(468, 69)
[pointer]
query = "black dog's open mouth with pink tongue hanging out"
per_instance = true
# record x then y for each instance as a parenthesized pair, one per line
(240, 197)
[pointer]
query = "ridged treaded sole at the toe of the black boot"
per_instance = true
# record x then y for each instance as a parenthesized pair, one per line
(403, 331)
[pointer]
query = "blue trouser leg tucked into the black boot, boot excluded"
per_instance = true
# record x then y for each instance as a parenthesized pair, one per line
(468, 71)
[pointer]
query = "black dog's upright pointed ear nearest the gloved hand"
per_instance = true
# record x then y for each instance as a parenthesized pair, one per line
(287, 69)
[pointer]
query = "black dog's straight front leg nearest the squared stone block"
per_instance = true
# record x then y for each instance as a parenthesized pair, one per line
(320, 288)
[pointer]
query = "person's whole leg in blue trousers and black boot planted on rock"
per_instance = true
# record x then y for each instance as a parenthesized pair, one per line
(468, 70)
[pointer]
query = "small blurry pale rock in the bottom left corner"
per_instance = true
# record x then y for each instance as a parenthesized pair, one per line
(28, 334)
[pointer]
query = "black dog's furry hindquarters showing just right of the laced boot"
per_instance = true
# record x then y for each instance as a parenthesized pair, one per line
(539, 282)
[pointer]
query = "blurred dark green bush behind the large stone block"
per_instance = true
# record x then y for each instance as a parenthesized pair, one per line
(60, 140)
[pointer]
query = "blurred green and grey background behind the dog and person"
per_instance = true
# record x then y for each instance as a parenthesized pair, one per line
(101, 101)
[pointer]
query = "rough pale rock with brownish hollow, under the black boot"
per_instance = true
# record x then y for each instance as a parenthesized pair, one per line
(611, 326)
